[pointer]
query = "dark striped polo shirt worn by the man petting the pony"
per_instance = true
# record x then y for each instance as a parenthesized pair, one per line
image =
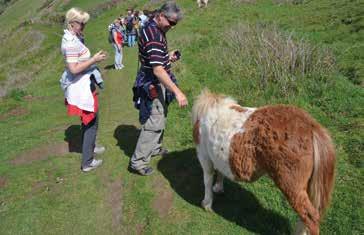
(153, 49)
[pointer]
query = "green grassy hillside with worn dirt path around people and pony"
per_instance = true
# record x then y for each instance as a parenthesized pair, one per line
(41, 187)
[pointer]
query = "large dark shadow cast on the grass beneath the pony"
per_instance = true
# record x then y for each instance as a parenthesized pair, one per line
(238, 205)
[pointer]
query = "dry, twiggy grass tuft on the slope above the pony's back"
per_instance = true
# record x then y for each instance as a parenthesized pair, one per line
(269, 55)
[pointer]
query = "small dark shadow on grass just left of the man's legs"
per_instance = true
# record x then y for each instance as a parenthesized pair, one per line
(127, 136)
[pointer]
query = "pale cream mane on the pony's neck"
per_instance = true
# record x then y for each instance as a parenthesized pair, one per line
(205, 101)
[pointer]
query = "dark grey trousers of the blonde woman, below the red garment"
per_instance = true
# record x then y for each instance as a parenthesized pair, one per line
(88, 141)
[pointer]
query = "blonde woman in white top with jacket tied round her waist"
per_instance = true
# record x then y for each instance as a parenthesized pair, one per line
(78, 82)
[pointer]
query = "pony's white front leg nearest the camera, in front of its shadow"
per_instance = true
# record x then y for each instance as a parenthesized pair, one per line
(208, 175)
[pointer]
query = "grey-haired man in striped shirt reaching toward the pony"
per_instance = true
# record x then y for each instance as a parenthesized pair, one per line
(156, 69)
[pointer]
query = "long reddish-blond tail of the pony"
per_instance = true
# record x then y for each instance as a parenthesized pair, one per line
(322, 180)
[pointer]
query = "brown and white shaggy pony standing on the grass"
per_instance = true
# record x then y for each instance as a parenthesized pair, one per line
(282, 141)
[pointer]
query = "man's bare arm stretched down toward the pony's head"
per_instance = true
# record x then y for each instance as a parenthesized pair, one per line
(163, 77)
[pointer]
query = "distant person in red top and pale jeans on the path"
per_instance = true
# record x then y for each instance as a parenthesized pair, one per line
(116, 39)
